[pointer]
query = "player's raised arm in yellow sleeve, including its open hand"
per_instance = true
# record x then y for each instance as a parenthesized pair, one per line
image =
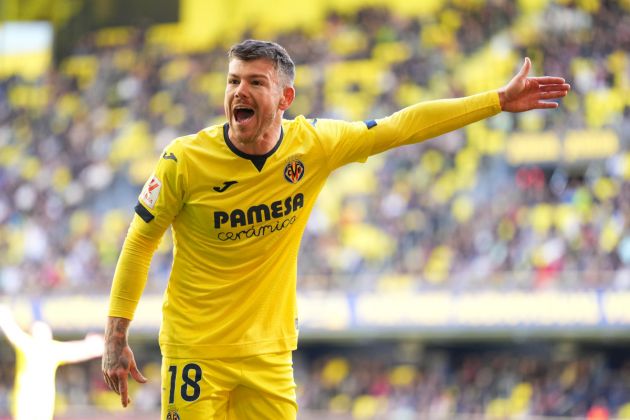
(344, 142)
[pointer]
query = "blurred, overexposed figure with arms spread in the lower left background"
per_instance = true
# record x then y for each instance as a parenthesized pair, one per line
(38, 357)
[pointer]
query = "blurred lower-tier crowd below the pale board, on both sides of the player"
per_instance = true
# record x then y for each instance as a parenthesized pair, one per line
(406, 380)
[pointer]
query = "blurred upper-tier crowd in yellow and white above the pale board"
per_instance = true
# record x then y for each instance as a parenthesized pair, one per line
(77, 144)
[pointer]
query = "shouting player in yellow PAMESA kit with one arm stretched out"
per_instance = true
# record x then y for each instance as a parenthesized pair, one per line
(238, 196)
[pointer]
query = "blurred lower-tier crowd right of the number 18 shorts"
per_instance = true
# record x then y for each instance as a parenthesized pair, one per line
(407, 381)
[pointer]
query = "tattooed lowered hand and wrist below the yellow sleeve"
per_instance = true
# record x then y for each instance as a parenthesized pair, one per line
(118, 359)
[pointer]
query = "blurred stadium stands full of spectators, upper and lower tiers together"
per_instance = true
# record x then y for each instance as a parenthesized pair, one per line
(528, 203)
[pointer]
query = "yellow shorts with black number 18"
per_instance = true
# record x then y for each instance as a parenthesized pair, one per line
(257, 387)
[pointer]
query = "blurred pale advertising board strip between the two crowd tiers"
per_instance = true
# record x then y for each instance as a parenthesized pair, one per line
(436, 314)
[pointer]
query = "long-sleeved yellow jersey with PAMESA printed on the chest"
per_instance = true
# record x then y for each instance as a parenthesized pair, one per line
(237, 221)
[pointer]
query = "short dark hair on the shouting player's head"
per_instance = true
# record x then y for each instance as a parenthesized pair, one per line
(252, 49)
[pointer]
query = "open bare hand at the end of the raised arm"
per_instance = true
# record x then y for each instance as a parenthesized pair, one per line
(524, 93)
